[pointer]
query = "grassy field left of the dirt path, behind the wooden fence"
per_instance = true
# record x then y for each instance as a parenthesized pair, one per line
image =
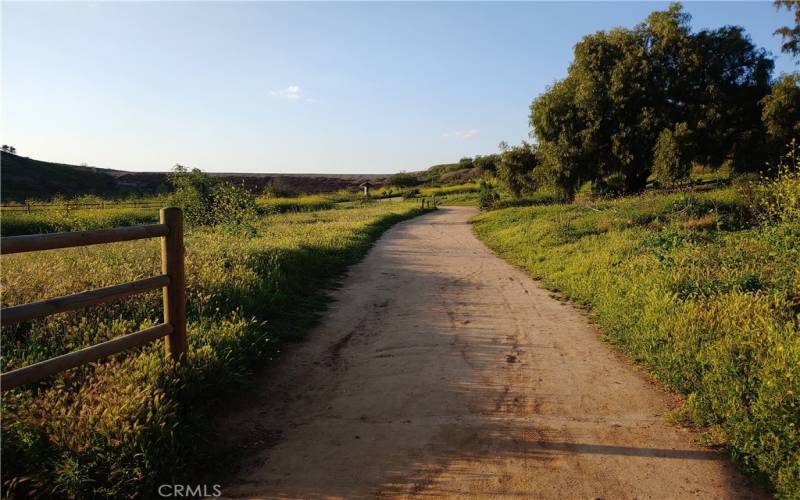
(127, 424)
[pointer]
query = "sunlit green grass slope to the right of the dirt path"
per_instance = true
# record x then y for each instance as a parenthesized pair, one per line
(691, 287)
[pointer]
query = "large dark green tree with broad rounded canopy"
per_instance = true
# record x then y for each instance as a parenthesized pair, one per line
(626, 86)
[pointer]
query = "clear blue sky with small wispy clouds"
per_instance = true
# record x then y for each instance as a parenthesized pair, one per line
(298, 87)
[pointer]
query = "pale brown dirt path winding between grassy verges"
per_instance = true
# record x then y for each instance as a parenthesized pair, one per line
(442, 371)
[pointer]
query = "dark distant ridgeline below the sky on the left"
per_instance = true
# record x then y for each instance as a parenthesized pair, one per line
(23, 178)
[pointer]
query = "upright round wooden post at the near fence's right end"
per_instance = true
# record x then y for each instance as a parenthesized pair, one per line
(175, 293)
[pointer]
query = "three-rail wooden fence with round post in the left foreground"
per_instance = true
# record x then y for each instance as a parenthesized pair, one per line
(172, 281)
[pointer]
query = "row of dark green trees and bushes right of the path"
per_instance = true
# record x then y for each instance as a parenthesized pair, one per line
(655, 100)
